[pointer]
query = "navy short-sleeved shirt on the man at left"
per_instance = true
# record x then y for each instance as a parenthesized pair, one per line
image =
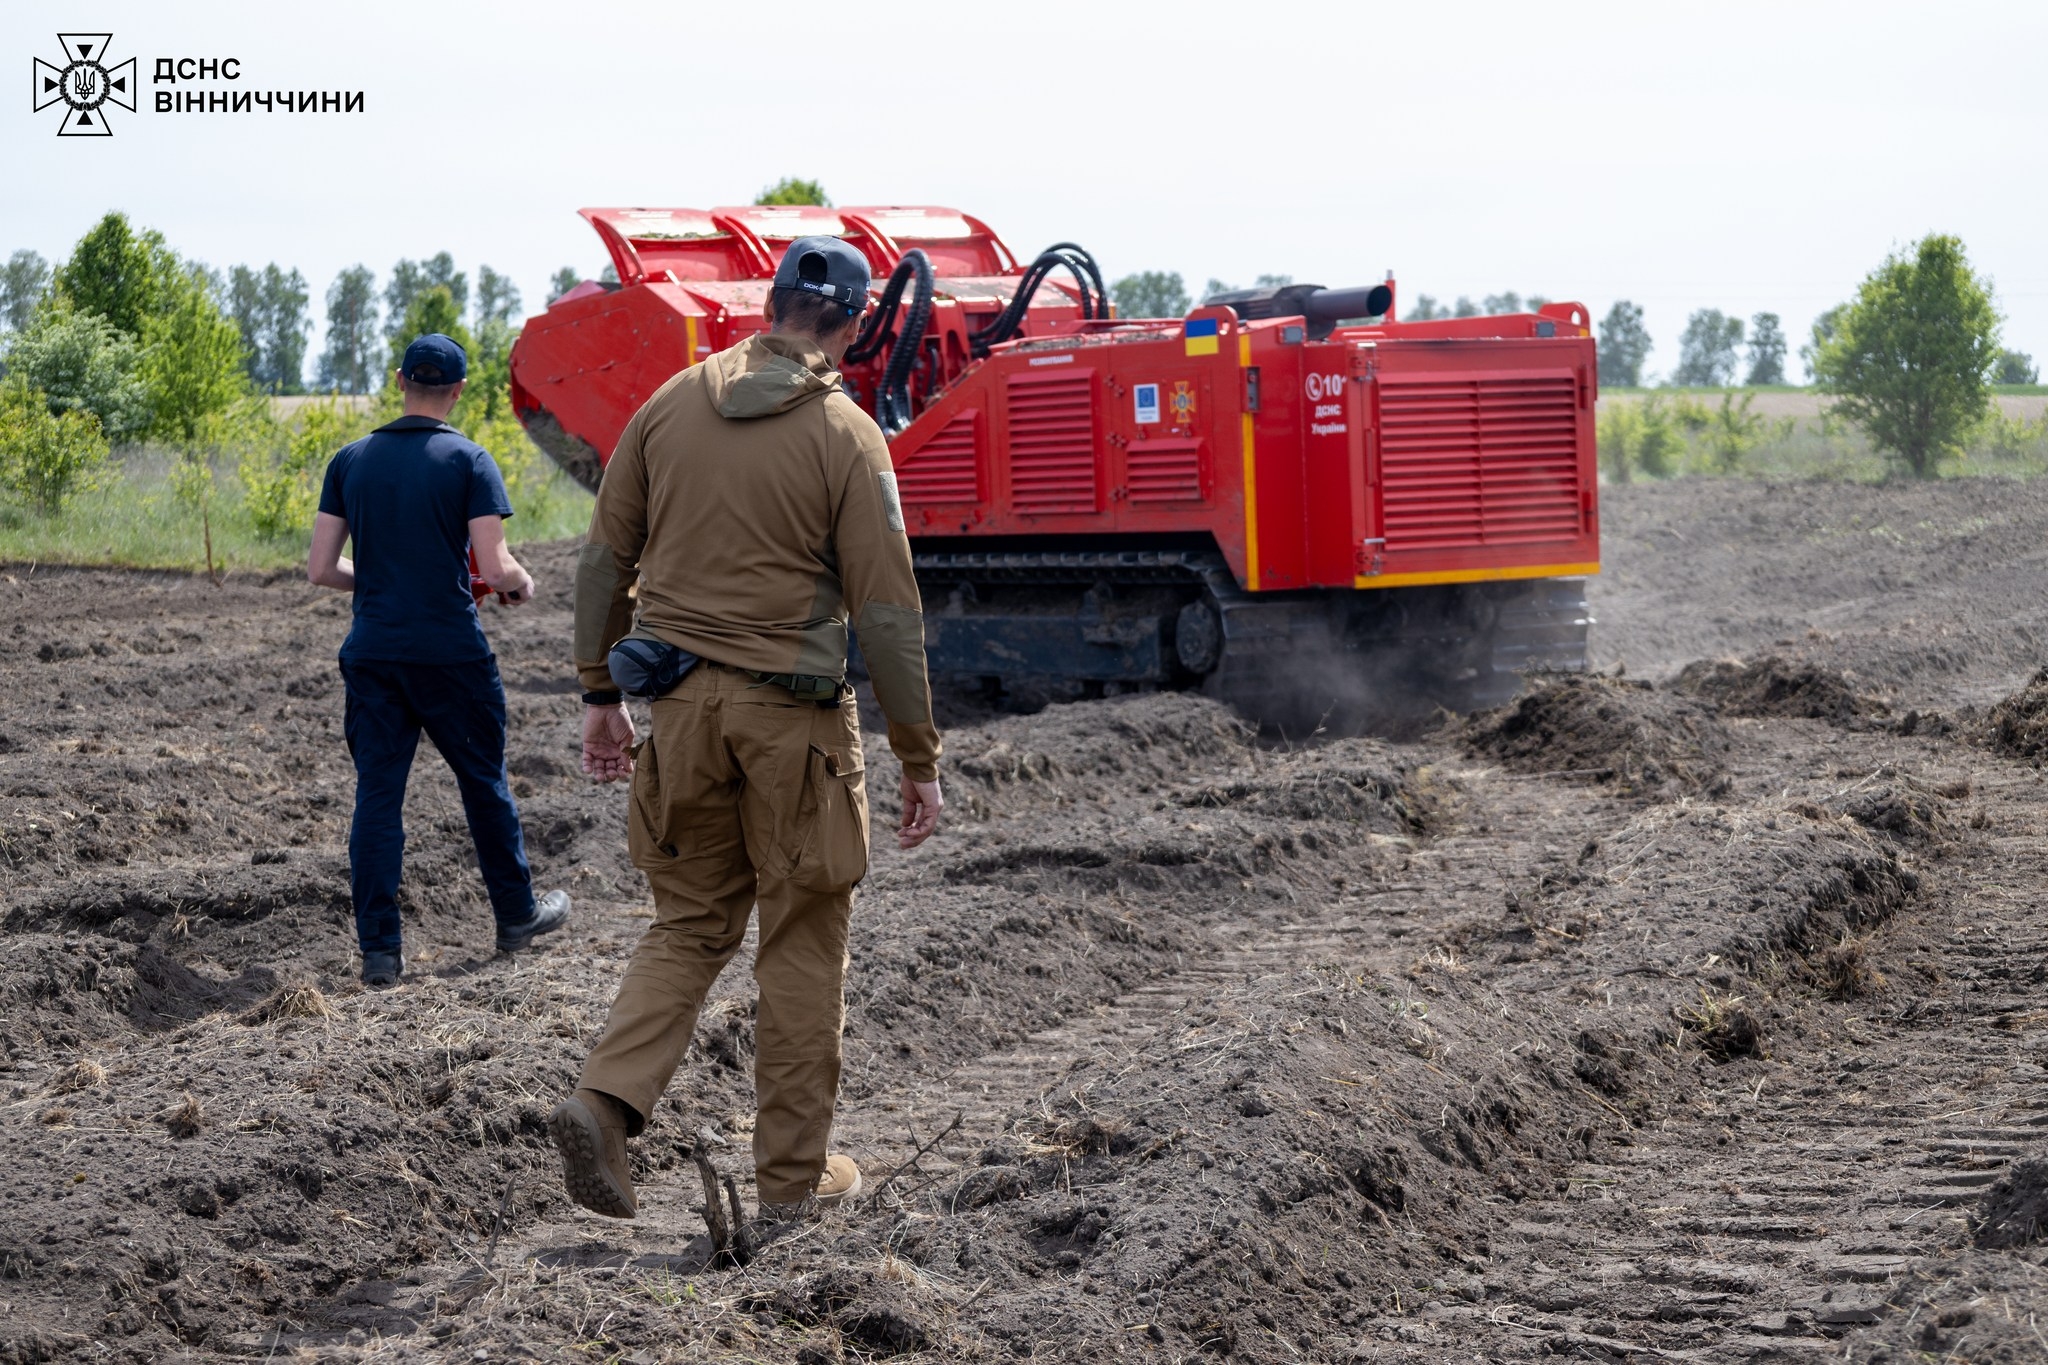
(409, 494)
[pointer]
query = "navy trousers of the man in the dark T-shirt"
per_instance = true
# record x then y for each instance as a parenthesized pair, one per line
(462, 707)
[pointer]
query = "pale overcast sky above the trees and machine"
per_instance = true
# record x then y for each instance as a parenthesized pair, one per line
(1736, 157)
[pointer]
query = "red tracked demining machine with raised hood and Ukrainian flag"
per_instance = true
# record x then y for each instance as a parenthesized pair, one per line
(1285, 498)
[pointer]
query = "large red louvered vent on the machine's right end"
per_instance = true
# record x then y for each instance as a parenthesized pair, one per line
(1480, 461)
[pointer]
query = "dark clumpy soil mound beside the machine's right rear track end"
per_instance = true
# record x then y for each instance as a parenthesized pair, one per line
(1607, 730)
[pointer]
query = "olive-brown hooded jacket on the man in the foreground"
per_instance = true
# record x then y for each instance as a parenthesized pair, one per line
(757, 507)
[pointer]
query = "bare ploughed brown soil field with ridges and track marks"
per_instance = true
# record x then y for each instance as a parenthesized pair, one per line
(1697, 1010)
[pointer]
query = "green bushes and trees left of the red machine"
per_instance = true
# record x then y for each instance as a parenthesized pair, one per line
(132, 343)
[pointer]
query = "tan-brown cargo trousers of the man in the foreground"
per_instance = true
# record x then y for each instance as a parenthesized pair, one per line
(744, 797)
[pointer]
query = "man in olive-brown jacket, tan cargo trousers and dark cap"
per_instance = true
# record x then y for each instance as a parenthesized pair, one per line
(757, 509)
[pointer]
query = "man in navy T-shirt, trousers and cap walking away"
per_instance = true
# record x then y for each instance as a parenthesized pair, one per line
(417, 496)
